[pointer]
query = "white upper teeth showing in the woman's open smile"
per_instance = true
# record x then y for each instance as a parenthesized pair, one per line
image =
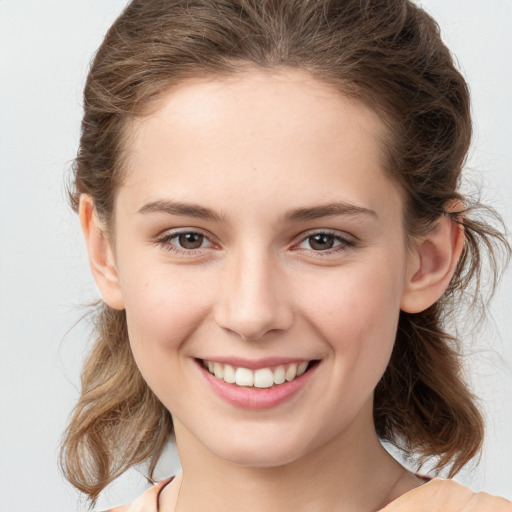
(262, 378)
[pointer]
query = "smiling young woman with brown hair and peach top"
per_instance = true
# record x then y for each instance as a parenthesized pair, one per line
(269, 195)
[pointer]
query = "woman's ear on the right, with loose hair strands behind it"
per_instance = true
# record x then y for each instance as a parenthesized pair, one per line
(432, 264)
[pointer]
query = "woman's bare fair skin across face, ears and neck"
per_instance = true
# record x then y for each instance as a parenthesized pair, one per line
(253, 150)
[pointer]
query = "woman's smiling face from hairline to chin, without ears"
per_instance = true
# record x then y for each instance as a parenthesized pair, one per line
(256, 233)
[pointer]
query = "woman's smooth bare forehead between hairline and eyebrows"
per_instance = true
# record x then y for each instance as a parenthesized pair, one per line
(258, 131)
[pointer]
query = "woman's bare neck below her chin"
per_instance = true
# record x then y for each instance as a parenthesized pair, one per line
(351, 472)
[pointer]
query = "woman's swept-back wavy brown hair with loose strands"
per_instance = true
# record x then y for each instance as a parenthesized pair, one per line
(387, 54)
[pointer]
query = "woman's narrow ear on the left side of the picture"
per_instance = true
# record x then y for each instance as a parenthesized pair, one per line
(101, 257)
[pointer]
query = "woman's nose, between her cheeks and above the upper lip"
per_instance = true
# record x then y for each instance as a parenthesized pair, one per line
(253, 299)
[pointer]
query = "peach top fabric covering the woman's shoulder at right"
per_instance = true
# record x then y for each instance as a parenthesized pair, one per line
(447, 496)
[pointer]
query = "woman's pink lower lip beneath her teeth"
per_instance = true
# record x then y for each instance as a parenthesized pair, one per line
(256, 398)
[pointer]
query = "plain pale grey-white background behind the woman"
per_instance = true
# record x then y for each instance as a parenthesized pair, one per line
(45, 48)
